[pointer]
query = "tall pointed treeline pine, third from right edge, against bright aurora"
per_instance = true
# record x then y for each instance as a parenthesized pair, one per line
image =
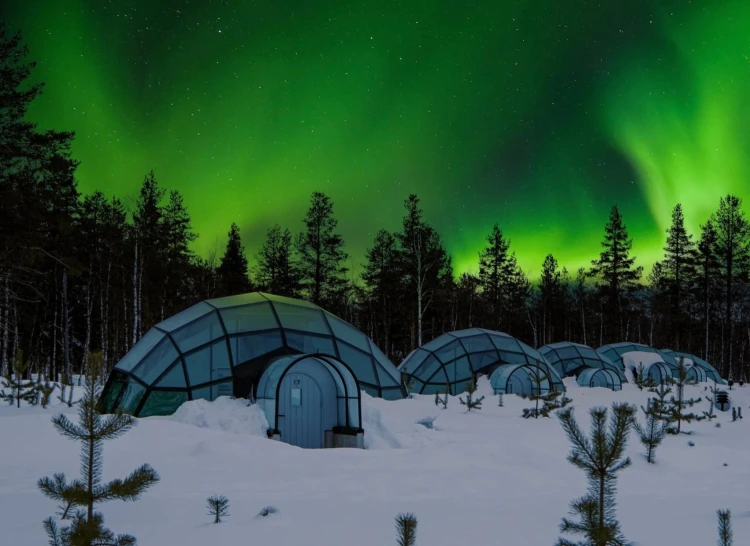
(678, 268)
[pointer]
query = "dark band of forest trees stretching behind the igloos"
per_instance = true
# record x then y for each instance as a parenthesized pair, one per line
(83, 273)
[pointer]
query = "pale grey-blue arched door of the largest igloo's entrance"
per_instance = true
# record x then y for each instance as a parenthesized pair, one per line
(300, 418)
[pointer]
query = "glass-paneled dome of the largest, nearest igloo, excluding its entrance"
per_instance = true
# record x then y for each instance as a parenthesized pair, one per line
(222, 346)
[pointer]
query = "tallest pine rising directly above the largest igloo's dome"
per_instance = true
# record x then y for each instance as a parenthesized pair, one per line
(322, 256)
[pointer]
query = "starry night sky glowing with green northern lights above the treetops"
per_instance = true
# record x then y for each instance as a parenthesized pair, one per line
(538, 115)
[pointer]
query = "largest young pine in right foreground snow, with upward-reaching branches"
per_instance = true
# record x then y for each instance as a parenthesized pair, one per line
(601, 457)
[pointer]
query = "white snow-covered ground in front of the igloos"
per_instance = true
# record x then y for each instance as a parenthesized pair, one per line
(483, 477)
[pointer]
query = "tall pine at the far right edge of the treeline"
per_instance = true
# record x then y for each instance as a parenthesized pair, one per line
(732, 249)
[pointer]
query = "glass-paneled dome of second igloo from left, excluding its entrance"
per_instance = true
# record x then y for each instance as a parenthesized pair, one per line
(452, 358)
